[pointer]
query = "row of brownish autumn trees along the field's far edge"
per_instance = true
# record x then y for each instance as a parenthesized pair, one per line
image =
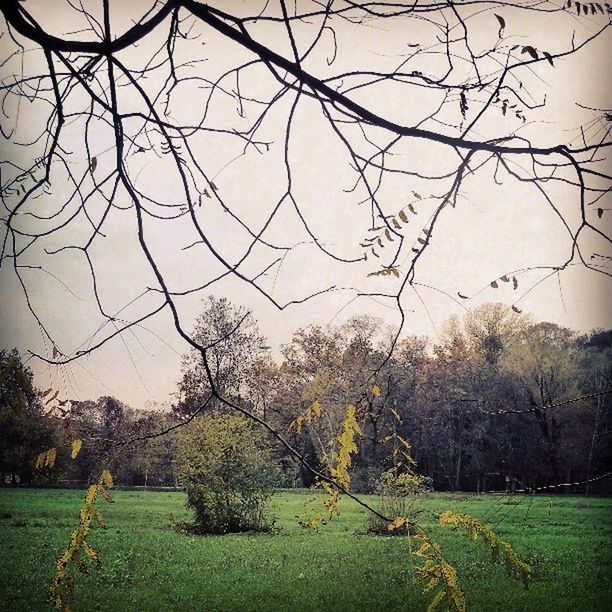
(494, 402)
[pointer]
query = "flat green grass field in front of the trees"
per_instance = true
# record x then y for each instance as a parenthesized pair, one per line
(146, 565)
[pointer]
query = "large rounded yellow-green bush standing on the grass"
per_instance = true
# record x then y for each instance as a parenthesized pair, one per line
(227, 471)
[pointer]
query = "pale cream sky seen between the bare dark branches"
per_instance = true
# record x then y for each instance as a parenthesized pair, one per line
(498, 227)
